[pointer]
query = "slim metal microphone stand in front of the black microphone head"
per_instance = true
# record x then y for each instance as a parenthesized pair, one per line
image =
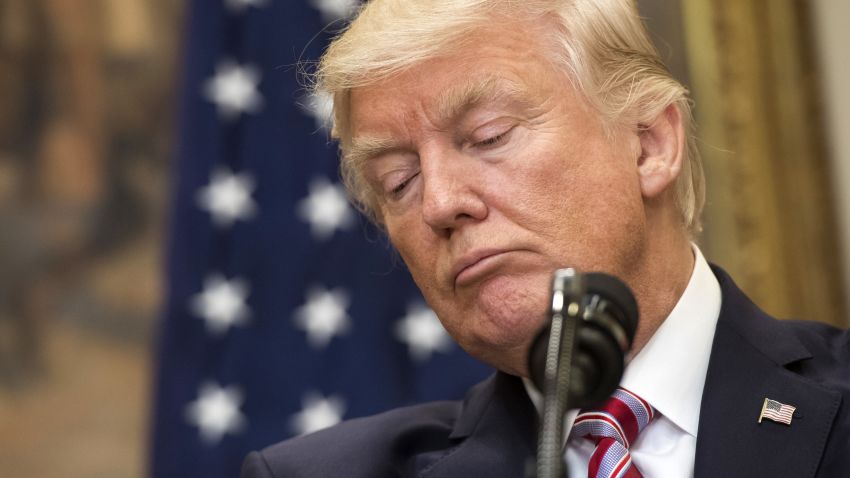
(568, 287)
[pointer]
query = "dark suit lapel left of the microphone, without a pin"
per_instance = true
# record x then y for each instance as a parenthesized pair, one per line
(495, 434)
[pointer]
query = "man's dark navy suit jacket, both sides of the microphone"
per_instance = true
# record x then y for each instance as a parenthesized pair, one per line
(492, 433)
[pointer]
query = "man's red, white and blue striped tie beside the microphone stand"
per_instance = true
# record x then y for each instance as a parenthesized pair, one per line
(613, 428)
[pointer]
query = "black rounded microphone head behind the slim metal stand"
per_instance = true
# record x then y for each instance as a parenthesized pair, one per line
(607, 319)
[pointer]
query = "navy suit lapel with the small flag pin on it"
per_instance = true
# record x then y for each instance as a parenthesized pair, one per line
(752, 358)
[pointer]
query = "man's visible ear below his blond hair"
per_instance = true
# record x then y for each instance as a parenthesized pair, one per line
(662, 147)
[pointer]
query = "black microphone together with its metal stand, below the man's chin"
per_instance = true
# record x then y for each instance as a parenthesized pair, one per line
(578, 360)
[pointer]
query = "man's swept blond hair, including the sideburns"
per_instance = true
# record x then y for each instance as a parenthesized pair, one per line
(602, 45)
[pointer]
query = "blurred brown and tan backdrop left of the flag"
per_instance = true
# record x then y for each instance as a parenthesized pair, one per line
(86, 145)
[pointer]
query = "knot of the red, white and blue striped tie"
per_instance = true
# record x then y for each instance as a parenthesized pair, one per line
(622, 417)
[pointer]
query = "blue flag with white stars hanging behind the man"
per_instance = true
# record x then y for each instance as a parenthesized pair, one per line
(286, 312)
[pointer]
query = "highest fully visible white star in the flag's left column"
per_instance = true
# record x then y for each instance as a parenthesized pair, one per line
(233, 89)
